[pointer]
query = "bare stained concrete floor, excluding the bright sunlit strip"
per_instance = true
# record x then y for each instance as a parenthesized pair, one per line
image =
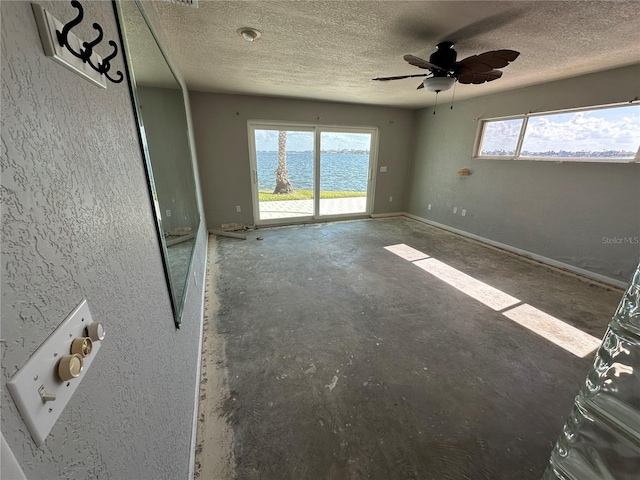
(345, 361)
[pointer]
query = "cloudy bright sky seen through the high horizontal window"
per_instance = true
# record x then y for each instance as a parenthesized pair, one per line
(595, 130)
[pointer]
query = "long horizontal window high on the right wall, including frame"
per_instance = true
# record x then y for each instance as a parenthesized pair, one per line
(610, 134)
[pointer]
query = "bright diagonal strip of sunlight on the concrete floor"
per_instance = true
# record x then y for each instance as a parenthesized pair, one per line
(551, 328)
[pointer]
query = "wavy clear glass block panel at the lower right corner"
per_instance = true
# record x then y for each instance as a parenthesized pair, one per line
(601, 439)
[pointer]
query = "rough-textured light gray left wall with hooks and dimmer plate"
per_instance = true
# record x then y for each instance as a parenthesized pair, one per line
(77, 223)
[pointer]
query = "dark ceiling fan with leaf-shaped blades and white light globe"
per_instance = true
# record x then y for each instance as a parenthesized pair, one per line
(445, 71)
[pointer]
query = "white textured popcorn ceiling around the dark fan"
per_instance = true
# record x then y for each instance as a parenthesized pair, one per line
(331, 50)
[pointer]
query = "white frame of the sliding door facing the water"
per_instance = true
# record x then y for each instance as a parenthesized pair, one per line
(317, 129)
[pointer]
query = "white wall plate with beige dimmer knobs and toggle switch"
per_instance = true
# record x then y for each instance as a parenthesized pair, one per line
(38, 389)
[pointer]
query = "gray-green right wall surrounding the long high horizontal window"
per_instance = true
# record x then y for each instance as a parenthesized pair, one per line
(557, 210)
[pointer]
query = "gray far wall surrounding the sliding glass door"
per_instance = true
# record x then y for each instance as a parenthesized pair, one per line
(223, 151)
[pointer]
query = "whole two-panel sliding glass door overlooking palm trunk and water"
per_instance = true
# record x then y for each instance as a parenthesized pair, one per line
(302, 173)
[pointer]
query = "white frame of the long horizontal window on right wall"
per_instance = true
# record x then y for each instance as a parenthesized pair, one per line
(479, 138)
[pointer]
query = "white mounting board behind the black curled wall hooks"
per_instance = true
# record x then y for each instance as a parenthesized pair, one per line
(47, 26)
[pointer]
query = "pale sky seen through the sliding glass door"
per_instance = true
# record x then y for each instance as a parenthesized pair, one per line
(267, 140)
